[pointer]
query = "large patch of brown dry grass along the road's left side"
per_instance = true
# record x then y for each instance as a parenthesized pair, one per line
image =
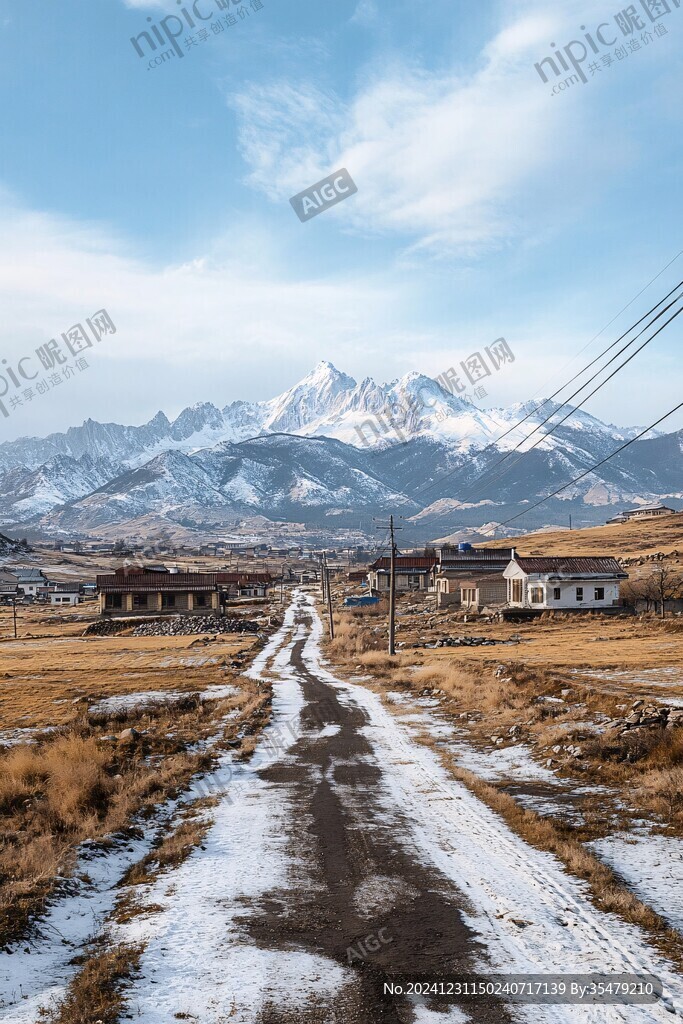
(80, 783)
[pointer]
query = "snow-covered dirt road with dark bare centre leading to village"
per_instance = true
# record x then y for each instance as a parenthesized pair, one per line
(344, 857)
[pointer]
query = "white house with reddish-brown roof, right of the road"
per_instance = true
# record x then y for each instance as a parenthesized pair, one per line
(573, 584)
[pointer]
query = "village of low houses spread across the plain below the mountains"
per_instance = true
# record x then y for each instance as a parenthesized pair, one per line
(463, 578)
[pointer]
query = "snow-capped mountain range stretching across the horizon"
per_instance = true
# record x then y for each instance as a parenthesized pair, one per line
(331, 453)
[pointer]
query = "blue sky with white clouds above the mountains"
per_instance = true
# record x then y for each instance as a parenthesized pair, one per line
(490, 203)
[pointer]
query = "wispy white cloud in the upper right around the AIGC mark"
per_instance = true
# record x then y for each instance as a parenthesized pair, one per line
(441, 159)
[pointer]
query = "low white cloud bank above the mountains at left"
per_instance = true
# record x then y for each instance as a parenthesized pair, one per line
(228, 325)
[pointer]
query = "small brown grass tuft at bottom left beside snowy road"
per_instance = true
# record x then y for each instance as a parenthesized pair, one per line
(97, 996)
